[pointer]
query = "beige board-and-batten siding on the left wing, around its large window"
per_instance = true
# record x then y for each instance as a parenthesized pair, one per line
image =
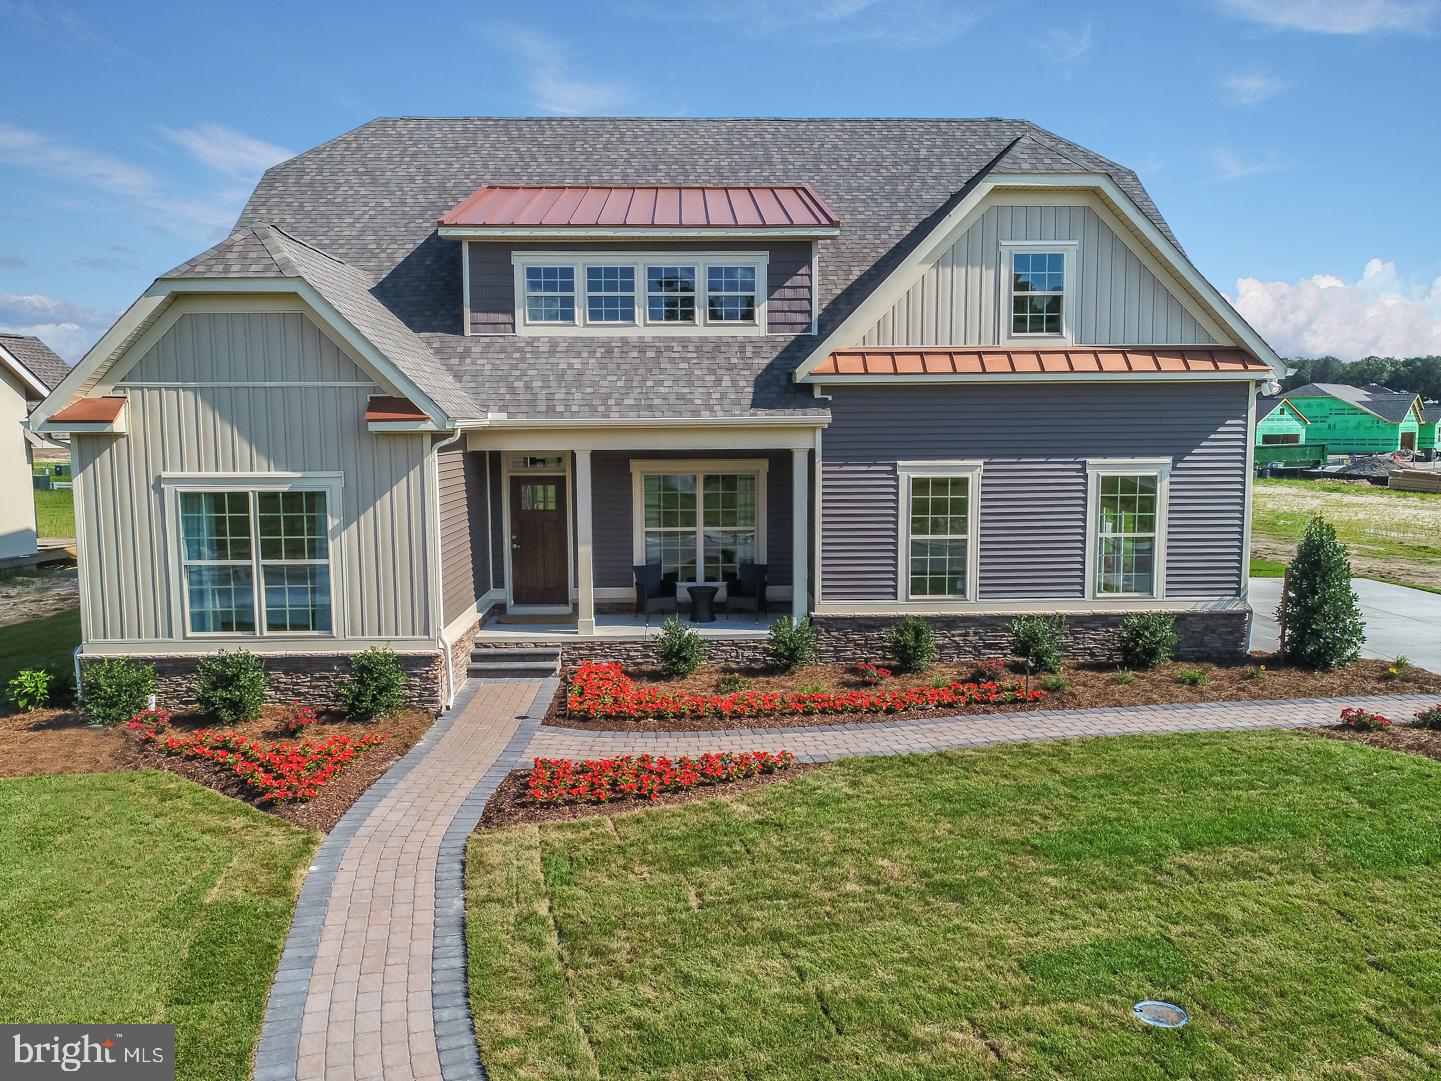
(308, 419)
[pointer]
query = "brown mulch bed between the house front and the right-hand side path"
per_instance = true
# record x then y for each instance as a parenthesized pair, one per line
(1092, 687)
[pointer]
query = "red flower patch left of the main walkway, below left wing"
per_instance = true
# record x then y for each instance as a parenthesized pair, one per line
(275, 772)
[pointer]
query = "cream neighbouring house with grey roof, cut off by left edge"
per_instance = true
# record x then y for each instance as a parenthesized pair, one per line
(28, 373)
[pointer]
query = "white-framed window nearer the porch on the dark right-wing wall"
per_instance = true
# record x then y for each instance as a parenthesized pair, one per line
(940, 510)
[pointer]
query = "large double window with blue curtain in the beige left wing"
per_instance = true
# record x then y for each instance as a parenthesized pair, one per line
(256, 561)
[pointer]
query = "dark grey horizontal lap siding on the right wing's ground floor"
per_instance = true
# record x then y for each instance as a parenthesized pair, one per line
(1034, 443)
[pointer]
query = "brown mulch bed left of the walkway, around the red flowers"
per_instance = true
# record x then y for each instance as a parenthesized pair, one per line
(55, 742)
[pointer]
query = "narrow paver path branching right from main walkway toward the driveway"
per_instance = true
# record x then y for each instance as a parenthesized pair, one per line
(930, 733)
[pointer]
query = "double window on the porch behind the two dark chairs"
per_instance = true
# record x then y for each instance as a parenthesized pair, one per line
(700, 525)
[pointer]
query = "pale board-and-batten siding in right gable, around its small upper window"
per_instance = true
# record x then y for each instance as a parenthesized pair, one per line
(1116, 299)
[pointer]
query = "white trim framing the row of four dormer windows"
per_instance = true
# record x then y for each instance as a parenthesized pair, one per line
(639, 262)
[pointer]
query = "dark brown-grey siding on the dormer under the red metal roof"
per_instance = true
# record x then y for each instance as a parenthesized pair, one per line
(494, 282)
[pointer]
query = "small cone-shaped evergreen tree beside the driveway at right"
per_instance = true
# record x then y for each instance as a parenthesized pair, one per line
(1324, 626)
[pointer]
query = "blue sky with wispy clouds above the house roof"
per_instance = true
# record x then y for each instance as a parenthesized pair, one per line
(1293, 145)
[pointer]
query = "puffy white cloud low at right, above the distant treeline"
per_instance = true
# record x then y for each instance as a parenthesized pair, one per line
(1380, 315)
